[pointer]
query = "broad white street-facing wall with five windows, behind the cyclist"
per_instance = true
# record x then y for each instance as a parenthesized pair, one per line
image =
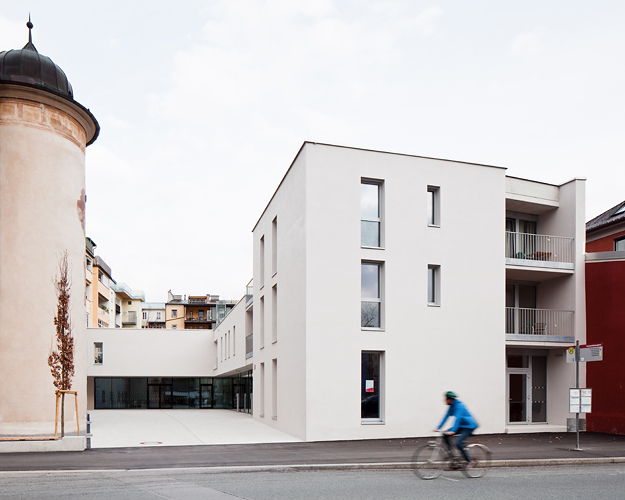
(428, 350)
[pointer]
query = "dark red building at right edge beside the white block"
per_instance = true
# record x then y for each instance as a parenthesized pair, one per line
(605, 317)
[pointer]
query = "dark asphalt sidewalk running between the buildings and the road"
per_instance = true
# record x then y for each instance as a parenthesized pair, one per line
(508, 450)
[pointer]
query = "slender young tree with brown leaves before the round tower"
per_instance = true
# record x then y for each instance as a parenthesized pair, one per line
(61, 360)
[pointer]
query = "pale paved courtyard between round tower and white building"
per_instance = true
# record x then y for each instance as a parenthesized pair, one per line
(128, 428)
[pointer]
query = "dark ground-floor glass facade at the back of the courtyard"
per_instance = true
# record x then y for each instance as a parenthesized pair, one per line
(177, 393)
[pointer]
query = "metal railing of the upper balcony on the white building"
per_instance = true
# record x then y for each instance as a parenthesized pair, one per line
(540, 247)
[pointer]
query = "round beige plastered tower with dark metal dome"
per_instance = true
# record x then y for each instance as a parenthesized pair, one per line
(43, 136)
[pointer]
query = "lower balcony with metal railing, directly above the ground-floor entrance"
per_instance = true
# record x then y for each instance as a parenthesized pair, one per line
(539, 325)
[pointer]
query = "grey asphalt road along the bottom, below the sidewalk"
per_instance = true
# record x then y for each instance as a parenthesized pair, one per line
(527, 483)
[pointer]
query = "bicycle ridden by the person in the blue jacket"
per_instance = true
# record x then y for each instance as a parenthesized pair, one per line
(432, 459)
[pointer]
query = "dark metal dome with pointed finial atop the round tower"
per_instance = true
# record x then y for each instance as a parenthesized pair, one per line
(29, 67)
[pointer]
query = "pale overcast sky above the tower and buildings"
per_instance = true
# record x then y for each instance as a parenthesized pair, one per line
(204, 104)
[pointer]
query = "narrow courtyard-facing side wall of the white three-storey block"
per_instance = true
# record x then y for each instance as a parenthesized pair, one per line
(289, 205)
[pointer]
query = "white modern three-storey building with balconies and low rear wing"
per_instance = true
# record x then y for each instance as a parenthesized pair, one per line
(383, 280)
